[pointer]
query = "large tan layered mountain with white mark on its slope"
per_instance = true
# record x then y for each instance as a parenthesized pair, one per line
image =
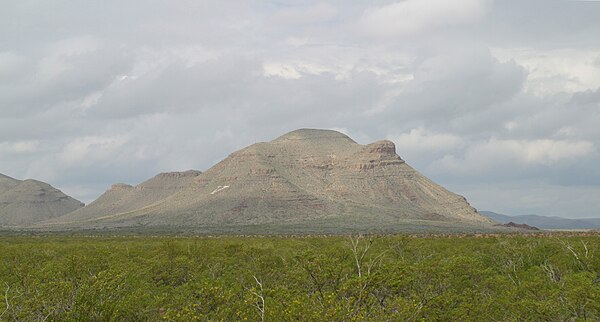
(304, 181)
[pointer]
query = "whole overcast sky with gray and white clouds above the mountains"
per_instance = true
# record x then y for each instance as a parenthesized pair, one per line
(496, 100)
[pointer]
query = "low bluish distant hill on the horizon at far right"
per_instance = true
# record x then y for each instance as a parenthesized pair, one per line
(545, 222)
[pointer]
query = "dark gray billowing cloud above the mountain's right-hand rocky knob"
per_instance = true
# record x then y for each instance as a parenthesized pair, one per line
(450, 88)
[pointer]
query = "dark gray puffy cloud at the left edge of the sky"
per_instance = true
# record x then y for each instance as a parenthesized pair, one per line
(71, 71)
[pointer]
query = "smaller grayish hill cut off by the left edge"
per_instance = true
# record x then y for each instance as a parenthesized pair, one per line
(27, 202)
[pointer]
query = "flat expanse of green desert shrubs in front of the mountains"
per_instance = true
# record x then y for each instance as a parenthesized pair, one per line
(311, 278)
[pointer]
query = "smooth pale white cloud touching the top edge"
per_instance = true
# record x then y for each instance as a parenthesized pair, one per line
(414, 16)
